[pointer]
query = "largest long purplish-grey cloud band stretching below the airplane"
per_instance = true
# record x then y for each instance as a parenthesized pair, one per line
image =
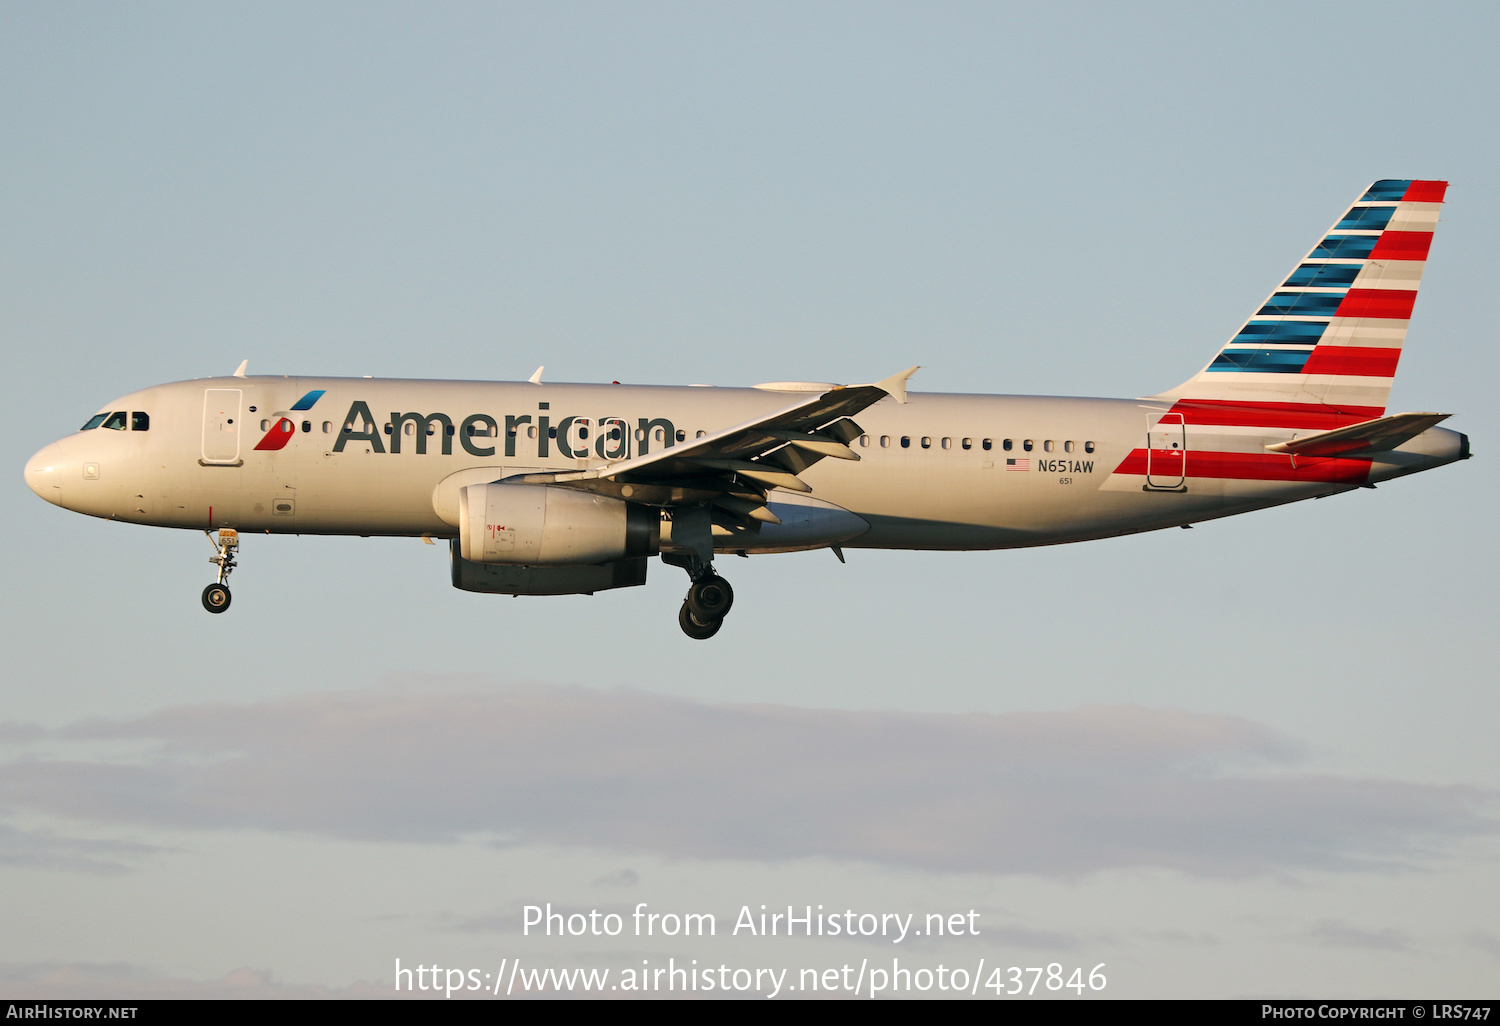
(1036, 793)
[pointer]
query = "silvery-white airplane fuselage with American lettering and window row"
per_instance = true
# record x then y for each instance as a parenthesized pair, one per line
(932, 473)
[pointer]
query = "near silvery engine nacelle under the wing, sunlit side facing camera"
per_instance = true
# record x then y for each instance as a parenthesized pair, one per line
(548, 526)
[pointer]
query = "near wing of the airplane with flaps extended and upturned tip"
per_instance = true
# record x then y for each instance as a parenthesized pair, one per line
(734, 467)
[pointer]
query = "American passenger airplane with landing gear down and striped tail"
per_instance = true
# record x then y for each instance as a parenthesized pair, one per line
(544, 490)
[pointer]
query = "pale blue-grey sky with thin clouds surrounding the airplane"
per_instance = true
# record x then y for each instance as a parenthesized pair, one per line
(1253, 760)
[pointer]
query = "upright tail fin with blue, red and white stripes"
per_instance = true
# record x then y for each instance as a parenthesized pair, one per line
(1333, 334)
